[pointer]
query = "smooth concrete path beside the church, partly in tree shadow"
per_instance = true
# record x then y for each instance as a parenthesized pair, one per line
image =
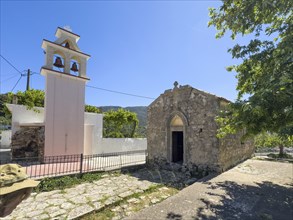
(252, 190)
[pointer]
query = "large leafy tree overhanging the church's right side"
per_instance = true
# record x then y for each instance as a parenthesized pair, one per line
(265, 74)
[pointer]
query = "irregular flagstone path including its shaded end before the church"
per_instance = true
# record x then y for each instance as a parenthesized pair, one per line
(85, 198)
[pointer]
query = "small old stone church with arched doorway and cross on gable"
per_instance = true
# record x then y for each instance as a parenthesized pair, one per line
(182, 129)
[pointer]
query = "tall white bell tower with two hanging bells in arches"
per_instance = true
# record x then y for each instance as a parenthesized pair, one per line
(65, 73)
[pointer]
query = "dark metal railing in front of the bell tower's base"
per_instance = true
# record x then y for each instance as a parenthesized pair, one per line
(51, 166)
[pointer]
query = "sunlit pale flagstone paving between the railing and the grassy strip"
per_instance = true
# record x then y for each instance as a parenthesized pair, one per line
(84, 198)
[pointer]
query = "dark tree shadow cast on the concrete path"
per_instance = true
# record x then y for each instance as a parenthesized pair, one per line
(263, 201)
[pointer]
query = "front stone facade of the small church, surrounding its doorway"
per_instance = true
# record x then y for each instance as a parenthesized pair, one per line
(198, 110)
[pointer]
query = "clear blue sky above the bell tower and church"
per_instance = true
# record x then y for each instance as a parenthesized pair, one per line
(137, 47)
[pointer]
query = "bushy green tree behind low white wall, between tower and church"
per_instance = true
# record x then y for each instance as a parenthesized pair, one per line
(120, 124)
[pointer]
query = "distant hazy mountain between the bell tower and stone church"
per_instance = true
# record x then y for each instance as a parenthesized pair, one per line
(141, 112)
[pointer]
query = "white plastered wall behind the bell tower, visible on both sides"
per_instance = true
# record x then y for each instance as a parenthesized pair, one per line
(94, 143)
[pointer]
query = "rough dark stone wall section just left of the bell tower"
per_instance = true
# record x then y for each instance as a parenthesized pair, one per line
(28, 142)
